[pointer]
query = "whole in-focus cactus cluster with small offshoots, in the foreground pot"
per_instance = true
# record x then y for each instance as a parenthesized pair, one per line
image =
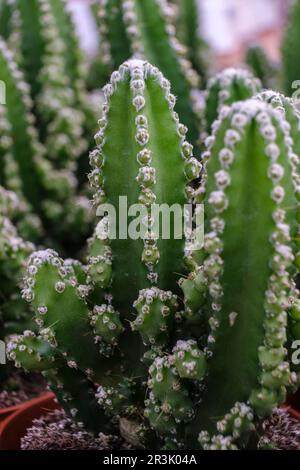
(178, 348)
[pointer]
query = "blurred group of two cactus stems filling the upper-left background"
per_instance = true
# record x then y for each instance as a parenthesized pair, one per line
(49, 117)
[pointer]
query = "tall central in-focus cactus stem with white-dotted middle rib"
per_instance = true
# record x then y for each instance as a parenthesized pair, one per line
(136, 96)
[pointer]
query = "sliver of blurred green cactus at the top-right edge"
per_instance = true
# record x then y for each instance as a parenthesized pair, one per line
(290, 59)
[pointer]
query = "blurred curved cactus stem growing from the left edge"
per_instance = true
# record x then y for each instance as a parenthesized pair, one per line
(33, 177)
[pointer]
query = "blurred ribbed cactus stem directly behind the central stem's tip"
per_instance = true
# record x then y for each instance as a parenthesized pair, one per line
(143, 29)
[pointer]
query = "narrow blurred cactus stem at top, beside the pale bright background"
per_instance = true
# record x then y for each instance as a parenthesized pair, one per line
(189, 33)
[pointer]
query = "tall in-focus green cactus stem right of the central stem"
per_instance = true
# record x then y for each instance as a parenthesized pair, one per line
(249, 185)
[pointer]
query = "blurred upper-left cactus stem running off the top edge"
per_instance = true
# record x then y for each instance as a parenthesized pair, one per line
(41, 53)
